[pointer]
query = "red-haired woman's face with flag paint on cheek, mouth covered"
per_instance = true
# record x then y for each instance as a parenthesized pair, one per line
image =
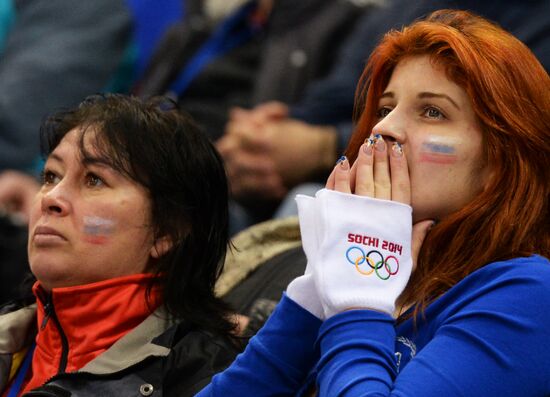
(434, 119)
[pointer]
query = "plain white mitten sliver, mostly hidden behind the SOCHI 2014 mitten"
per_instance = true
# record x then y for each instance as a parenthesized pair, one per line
(302, 289)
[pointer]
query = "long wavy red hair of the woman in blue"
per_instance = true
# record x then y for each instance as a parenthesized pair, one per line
(510, 94)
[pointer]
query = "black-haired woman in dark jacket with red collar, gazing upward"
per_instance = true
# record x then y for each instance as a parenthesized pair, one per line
(126, 241)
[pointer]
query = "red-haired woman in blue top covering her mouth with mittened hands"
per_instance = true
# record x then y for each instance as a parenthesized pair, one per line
(454, 127)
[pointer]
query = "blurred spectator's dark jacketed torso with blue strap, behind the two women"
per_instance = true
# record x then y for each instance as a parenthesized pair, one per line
(245, 53)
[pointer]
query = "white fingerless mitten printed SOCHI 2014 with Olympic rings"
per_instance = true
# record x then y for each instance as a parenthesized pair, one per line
(364, 255)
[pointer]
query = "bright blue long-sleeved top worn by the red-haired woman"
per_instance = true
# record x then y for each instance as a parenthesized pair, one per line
(489, 335)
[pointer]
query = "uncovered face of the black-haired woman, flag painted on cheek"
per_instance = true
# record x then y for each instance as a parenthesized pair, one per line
(88, 222)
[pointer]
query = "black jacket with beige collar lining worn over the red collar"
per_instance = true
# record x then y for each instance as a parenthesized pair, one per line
(157, 358)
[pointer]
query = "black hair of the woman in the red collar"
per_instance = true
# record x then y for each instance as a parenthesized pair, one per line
(162, 149)
